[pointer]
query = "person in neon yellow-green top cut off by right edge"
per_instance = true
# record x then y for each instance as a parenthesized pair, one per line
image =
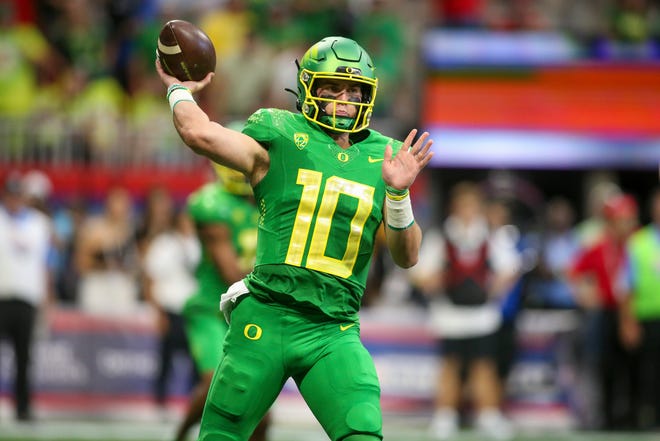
(640, 315)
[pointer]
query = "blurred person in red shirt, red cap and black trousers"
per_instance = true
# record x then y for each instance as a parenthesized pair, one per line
(594, 277)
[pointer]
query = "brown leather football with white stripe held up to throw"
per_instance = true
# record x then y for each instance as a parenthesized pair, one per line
(185, 51)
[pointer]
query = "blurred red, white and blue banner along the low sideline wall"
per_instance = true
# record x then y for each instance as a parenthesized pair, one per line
(89, 364)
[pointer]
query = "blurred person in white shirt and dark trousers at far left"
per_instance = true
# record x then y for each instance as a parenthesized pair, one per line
(25, 281)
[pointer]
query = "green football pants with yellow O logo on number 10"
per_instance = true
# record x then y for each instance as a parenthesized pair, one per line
(267, 344)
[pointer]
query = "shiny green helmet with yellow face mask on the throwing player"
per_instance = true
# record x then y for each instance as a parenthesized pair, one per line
(339, 59)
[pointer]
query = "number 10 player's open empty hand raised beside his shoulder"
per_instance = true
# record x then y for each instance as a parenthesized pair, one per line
(400, 171)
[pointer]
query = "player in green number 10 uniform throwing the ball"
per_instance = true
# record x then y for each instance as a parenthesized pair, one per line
(324, 183)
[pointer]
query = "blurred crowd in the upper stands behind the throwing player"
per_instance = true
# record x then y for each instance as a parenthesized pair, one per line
(79, 74)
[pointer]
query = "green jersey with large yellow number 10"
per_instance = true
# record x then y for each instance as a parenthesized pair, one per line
(321, 207)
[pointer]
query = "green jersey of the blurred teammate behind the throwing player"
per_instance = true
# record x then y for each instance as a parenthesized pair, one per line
(212, 204)
